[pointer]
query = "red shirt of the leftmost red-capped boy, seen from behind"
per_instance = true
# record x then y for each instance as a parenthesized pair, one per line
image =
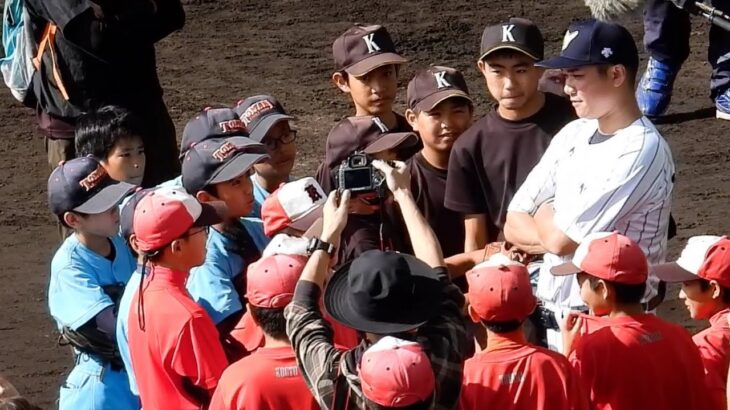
(178, 352)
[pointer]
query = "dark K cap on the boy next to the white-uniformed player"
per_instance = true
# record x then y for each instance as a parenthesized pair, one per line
(517, 34)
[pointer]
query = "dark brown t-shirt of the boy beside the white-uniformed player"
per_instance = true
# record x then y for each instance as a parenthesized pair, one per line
(493, 157)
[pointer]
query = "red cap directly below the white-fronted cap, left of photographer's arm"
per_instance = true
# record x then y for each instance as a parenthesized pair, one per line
(270, 282)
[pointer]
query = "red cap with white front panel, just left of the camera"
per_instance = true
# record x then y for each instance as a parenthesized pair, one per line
(297, 204)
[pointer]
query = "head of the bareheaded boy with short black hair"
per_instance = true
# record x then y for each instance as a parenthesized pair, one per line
(113, 136)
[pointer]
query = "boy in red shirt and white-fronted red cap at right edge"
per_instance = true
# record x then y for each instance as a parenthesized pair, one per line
(703, 269)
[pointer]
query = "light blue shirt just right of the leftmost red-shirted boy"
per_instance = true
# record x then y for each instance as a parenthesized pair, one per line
(211, 284)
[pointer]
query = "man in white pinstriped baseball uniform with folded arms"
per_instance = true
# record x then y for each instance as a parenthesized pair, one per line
(610, 170)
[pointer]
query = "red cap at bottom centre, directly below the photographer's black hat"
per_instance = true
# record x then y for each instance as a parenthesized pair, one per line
(396, 373)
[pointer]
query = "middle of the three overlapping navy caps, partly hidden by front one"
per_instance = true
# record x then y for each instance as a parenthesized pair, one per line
(211, 123)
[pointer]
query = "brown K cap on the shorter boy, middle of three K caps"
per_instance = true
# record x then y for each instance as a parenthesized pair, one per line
(435, 84)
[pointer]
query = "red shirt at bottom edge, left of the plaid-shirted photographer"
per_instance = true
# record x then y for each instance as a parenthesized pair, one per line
(268, 379)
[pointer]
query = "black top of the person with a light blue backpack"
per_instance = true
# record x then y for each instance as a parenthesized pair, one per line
(104, 56)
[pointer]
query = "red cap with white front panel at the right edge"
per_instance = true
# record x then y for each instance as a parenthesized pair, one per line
(705, 257)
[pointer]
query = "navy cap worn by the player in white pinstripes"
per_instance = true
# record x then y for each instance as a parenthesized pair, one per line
(593, 42)
